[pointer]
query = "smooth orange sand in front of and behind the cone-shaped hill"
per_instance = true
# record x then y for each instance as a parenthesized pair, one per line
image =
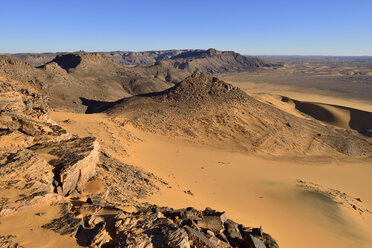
(307, 202)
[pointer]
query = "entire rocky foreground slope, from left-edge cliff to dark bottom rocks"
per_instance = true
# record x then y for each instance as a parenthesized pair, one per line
(41, 164)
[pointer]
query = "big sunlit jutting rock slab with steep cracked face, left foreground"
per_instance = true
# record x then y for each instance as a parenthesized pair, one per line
(43, 170)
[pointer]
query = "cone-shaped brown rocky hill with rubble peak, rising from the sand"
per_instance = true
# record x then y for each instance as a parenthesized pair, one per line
(204, 109)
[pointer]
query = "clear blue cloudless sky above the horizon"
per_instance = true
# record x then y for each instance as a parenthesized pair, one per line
(256, 27)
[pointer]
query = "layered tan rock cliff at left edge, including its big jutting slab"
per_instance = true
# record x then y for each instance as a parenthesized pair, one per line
(37, 158)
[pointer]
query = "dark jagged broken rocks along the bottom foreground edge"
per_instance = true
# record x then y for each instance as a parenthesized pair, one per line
(163, 227)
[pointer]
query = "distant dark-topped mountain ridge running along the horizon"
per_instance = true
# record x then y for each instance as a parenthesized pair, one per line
(210, 61)
